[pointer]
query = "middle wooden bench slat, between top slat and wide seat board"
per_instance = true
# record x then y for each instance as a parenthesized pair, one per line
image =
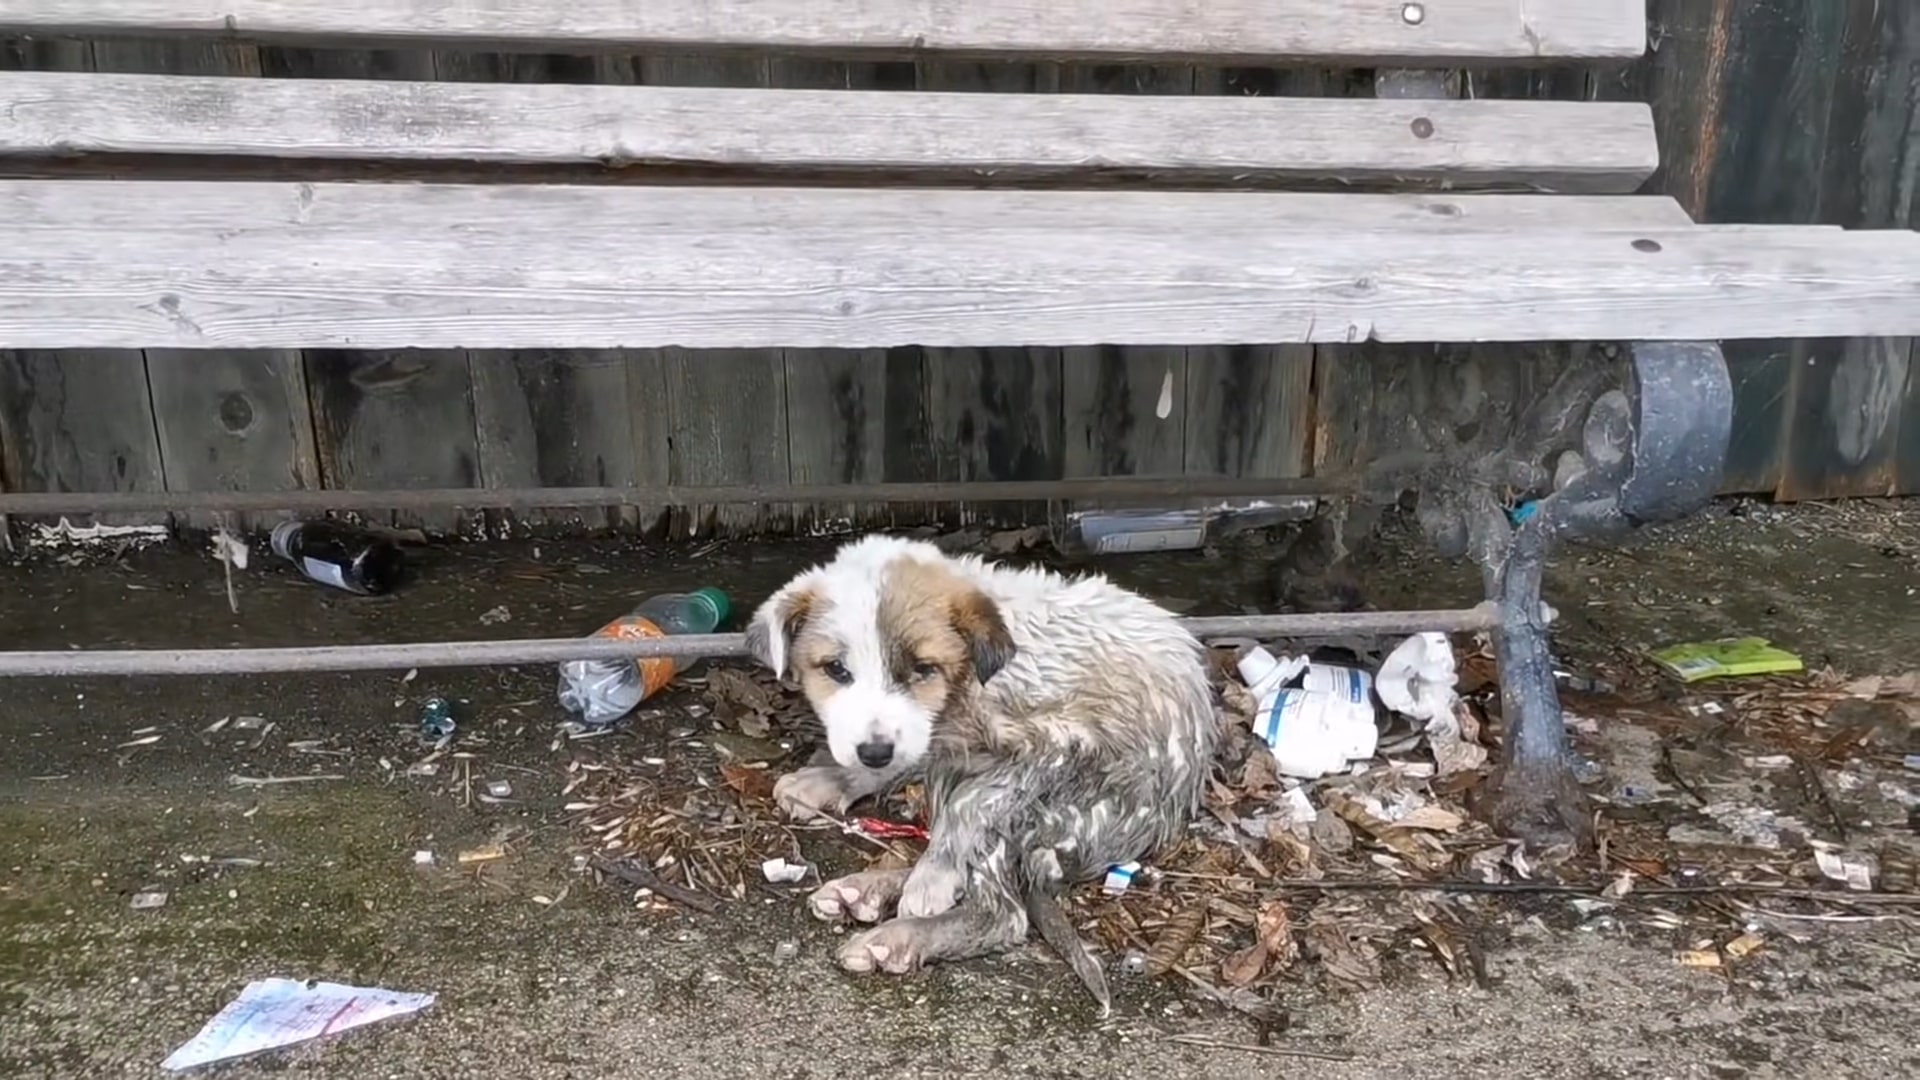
(1570, 147)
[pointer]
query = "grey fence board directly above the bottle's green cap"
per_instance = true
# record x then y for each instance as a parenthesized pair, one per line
(729, 428)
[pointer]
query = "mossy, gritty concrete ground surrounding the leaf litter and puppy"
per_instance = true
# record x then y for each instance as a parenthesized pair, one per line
(93, 812)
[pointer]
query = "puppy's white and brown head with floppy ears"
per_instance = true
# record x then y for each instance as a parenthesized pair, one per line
(882, 652)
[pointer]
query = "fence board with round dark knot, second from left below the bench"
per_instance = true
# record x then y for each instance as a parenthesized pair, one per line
(233, 422)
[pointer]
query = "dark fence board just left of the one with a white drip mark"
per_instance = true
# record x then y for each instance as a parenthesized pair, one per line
(996, 416)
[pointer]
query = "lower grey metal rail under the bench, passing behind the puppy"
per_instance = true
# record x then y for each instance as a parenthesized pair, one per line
(70, 664)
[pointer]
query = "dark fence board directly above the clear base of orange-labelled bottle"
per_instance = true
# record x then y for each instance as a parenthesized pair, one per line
(554, 420)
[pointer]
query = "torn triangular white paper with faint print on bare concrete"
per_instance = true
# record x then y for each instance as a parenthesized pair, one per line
(283, 1012)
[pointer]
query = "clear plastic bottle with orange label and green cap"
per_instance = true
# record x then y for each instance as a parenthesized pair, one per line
(604, 691)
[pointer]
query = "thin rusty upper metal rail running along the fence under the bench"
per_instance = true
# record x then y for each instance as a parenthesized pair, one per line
(671, 495)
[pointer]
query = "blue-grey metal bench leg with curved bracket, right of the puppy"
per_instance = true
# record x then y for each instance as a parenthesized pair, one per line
(1652, 453)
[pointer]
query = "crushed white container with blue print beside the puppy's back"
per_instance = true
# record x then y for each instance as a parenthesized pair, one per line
(1314, 718)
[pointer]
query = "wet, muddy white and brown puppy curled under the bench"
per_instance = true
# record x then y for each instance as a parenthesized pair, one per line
(1061, 727)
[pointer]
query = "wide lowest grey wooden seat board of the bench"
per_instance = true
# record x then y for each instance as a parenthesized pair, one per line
(105, 264)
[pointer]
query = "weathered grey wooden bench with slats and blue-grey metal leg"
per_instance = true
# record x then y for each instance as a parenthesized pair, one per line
(754, 218)
